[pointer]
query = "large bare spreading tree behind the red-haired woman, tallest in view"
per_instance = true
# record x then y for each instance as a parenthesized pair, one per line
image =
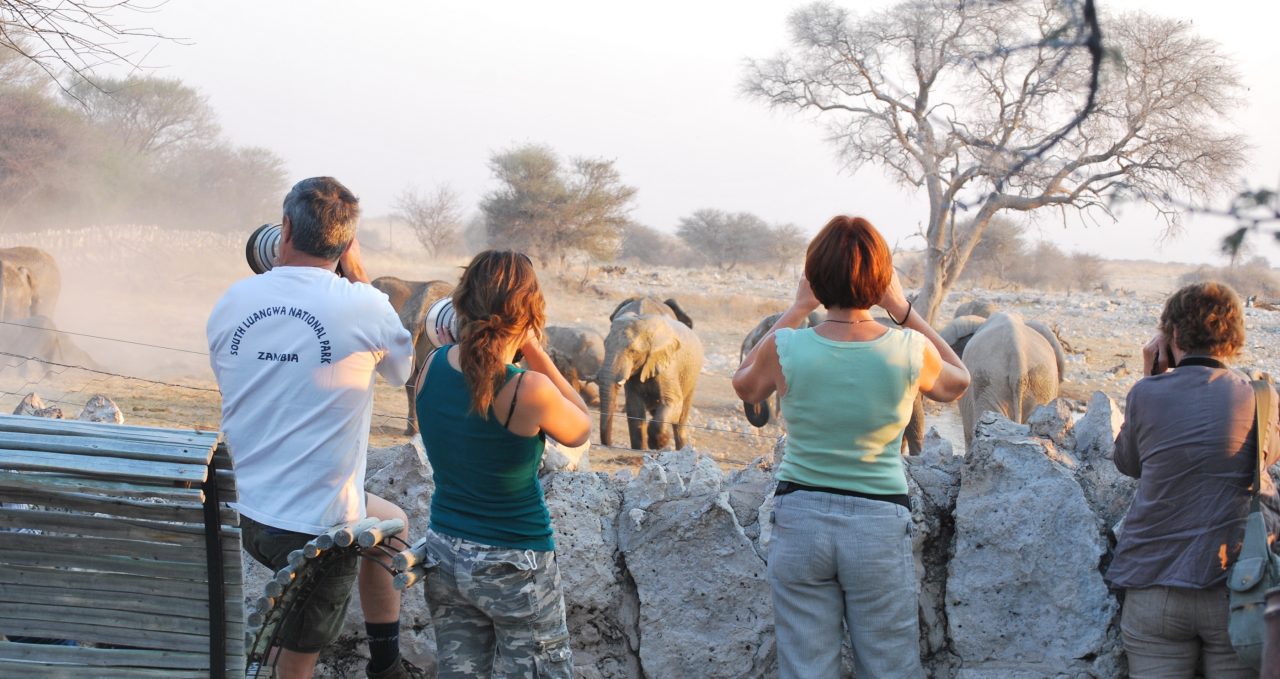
(986, 117)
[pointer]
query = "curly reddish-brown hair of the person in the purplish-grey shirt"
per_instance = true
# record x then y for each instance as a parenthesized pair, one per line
(1209, 320)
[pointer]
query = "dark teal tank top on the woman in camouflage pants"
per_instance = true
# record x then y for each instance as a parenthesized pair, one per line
(487, 485)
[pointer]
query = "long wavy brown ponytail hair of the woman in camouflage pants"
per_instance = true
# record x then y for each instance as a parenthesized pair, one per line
(497, 302)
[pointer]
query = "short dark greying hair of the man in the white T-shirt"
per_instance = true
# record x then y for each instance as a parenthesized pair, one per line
(323, 217)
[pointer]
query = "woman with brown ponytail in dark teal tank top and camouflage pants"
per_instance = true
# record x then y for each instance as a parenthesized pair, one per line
(492, 582)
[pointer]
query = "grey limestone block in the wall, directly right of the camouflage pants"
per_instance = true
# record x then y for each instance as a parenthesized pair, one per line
(602, 604)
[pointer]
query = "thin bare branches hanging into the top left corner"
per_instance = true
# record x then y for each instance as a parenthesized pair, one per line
(74, 37)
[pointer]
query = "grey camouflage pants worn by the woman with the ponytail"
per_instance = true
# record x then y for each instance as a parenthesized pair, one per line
(499, 613)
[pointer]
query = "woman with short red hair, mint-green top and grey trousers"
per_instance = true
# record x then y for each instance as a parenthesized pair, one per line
(842, 546)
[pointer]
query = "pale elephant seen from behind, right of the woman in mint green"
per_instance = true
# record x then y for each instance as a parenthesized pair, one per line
(1014, 366)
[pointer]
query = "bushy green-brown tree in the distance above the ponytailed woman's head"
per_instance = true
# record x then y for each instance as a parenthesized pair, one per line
(548, 211)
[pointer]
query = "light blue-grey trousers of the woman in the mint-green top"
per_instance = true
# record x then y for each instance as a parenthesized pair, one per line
(836, 559)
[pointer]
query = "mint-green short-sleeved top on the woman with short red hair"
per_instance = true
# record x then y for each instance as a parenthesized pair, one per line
(847, 408)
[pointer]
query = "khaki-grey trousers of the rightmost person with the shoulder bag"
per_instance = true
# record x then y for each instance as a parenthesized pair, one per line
(1171, 632)
